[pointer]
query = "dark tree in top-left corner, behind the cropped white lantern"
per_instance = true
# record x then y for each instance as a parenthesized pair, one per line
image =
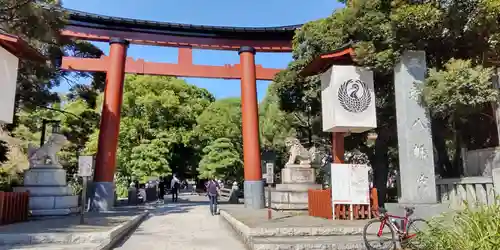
(39, 23)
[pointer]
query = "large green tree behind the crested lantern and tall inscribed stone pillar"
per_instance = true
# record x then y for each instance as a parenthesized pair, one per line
(379, 31)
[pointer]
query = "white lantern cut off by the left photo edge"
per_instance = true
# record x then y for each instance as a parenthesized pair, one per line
(8, 80)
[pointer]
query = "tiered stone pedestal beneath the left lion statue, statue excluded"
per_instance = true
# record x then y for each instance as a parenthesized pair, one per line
(49, 193)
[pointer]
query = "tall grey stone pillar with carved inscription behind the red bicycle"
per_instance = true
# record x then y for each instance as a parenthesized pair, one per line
(416, 163)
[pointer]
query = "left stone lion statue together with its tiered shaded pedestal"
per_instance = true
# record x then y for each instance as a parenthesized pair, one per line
(45, 181)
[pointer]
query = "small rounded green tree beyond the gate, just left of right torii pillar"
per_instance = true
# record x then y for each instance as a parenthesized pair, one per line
(221, 160)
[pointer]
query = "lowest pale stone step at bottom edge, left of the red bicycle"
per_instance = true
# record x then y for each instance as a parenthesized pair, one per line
(309, 243)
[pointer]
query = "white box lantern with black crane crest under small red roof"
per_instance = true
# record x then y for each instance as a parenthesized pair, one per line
(348, 99)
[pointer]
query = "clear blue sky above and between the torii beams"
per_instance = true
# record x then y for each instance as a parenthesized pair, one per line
(214, 12)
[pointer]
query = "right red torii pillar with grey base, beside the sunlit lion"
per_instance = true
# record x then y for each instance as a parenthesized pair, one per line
(254, 185)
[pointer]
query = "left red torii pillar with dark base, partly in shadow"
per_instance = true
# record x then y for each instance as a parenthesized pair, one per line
(104, 195)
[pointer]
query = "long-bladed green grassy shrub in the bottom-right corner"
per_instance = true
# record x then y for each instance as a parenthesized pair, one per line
(470, 229)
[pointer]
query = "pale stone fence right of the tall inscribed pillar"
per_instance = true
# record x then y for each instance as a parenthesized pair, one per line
(470, 190)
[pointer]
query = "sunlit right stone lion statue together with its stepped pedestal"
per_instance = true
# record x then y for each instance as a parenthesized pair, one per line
(297, 178)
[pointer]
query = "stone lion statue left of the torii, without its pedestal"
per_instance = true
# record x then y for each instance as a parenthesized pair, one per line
(39, 156)
